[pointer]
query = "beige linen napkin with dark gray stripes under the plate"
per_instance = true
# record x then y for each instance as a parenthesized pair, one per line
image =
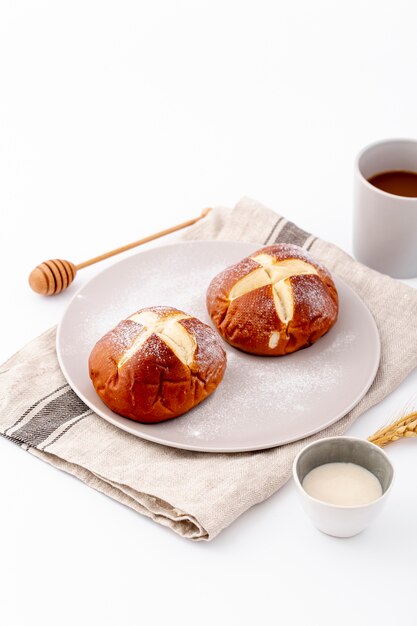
(195, 494)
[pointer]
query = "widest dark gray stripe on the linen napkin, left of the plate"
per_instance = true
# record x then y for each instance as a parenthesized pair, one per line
(50, 417)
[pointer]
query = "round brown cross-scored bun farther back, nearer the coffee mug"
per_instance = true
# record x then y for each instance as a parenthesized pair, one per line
(275, 301)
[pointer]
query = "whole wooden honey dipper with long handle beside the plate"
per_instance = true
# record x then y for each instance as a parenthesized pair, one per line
(53, 276)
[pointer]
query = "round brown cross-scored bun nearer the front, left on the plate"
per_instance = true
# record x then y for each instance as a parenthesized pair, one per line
(157, 364)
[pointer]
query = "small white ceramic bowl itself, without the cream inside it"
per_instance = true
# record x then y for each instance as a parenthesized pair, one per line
(337, 520)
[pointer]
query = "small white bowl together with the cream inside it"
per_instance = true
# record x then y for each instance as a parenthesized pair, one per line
(343, 483)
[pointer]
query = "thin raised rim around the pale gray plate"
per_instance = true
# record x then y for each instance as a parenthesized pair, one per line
(129, 427)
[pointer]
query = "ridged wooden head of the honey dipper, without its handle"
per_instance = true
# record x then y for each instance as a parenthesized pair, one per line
(52, 277)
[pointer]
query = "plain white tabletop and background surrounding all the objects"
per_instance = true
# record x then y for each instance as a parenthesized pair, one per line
(118, 119)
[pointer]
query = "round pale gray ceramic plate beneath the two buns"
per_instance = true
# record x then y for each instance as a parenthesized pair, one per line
(262, 401)
